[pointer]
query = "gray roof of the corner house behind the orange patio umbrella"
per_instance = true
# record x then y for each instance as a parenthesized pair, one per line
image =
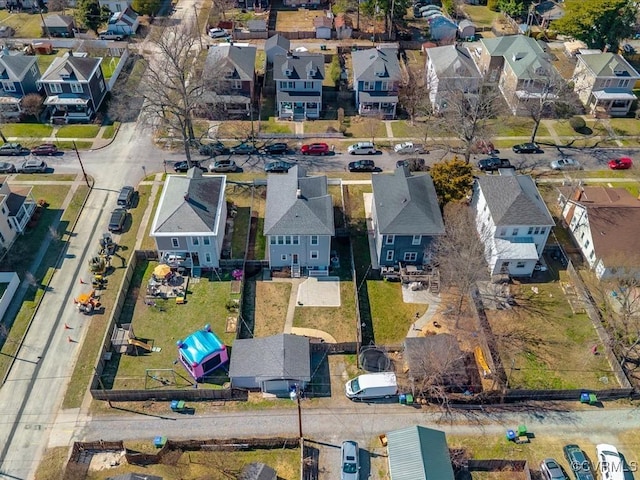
(190, 204)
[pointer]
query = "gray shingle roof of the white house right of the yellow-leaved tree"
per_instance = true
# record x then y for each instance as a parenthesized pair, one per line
(514, 200)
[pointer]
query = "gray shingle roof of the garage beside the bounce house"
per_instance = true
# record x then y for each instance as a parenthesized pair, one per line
(281, 356)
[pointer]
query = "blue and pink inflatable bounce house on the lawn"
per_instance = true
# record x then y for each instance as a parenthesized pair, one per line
(202, 352)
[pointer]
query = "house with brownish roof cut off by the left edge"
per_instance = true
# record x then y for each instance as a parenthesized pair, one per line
(16, 209)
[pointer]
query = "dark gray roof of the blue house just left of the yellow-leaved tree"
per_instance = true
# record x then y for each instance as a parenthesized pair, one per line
(406, 205)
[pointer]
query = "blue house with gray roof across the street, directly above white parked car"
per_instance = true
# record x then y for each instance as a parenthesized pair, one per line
(376, 80)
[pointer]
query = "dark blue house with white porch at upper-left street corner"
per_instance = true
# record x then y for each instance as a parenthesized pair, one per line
(75, 87)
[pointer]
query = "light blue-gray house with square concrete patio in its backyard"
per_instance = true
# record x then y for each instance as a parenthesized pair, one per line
(298, 222)
